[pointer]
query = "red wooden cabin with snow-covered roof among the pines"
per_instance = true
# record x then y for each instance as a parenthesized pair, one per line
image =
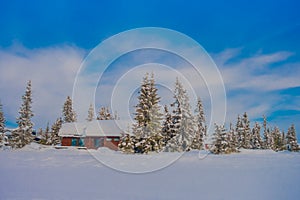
(92, 135)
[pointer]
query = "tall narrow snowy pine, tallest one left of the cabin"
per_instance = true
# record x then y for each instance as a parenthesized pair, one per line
(23, 134)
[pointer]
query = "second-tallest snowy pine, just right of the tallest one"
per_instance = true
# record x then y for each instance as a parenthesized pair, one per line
(183, 121)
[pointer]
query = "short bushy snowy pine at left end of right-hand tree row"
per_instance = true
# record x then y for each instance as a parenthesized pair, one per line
(220, 141)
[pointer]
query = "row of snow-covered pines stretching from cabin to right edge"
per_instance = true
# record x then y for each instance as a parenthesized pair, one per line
(182, 130)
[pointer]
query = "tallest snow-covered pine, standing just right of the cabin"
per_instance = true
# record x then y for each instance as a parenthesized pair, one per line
(148, 116)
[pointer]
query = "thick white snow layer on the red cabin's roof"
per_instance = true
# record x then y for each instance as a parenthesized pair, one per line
(93, 128)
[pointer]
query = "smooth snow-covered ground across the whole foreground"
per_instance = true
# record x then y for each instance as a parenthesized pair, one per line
(33, 173)
